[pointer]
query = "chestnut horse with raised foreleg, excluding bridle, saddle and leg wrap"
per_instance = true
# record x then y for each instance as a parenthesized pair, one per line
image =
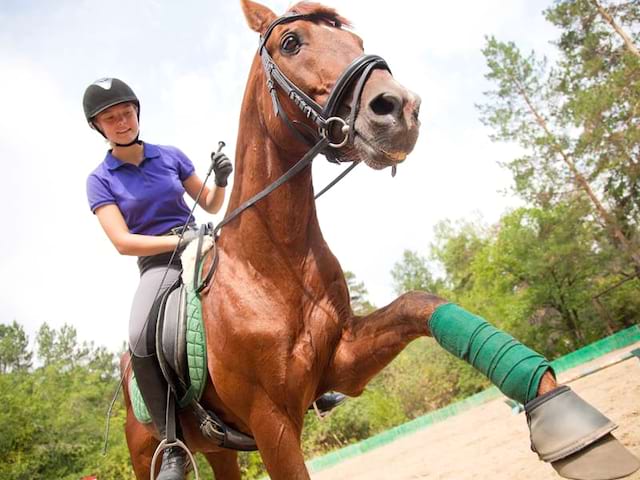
(280, 329)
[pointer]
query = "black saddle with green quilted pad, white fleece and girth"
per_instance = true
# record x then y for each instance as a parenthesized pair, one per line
(181, 347)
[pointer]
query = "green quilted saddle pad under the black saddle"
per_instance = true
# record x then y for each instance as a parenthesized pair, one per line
(196, 360)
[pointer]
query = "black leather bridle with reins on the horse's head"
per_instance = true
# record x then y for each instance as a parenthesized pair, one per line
(324, 118)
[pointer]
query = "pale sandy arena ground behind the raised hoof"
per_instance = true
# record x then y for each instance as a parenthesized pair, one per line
(491, 443)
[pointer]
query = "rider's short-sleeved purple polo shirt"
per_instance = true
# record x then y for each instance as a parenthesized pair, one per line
(150, 196)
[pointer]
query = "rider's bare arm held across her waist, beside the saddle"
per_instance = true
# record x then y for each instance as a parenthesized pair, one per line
(127, 243)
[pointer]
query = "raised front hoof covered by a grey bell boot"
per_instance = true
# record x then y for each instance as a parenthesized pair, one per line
(576, 438)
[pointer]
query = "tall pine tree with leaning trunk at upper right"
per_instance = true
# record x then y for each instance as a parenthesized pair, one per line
(563, 117)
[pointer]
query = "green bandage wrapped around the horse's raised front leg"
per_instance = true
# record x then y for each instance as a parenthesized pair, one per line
(515, 369)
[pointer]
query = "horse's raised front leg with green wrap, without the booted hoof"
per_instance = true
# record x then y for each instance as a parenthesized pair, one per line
(369, 343)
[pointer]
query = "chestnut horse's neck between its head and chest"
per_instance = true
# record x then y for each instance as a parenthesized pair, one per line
(286, 218)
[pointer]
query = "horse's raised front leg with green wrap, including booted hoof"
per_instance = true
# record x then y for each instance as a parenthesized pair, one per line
(573, 446)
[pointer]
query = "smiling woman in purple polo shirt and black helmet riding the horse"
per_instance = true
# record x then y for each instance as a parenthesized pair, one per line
(136, 193)
